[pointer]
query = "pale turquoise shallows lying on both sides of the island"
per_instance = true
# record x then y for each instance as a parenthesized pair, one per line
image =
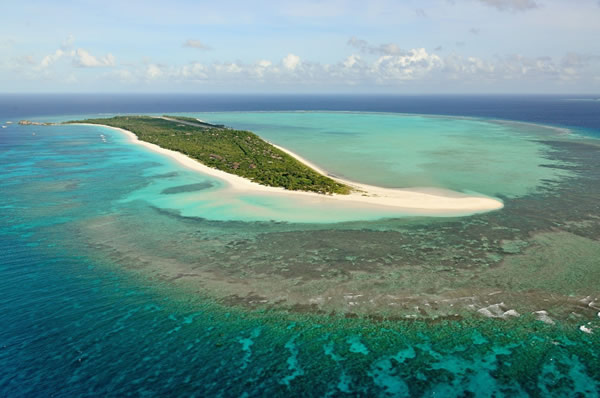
(397, 151)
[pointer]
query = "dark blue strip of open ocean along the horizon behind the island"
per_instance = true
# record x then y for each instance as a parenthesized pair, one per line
(582, 111)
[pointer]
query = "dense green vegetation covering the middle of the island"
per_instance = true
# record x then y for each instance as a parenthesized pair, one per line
(234, 151)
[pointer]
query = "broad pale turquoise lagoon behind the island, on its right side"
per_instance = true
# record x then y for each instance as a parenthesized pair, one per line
(494, 158)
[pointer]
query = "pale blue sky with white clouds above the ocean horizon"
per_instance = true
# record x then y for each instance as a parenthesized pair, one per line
(292, 46)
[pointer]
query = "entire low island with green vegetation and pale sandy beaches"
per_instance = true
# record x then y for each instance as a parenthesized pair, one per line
(249, 165)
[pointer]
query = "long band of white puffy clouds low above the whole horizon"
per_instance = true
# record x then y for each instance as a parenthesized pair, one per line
(372, 67)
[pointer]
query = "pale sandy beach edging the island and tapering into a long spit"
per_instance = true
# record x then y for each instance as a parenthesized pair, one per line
(421, 201)
